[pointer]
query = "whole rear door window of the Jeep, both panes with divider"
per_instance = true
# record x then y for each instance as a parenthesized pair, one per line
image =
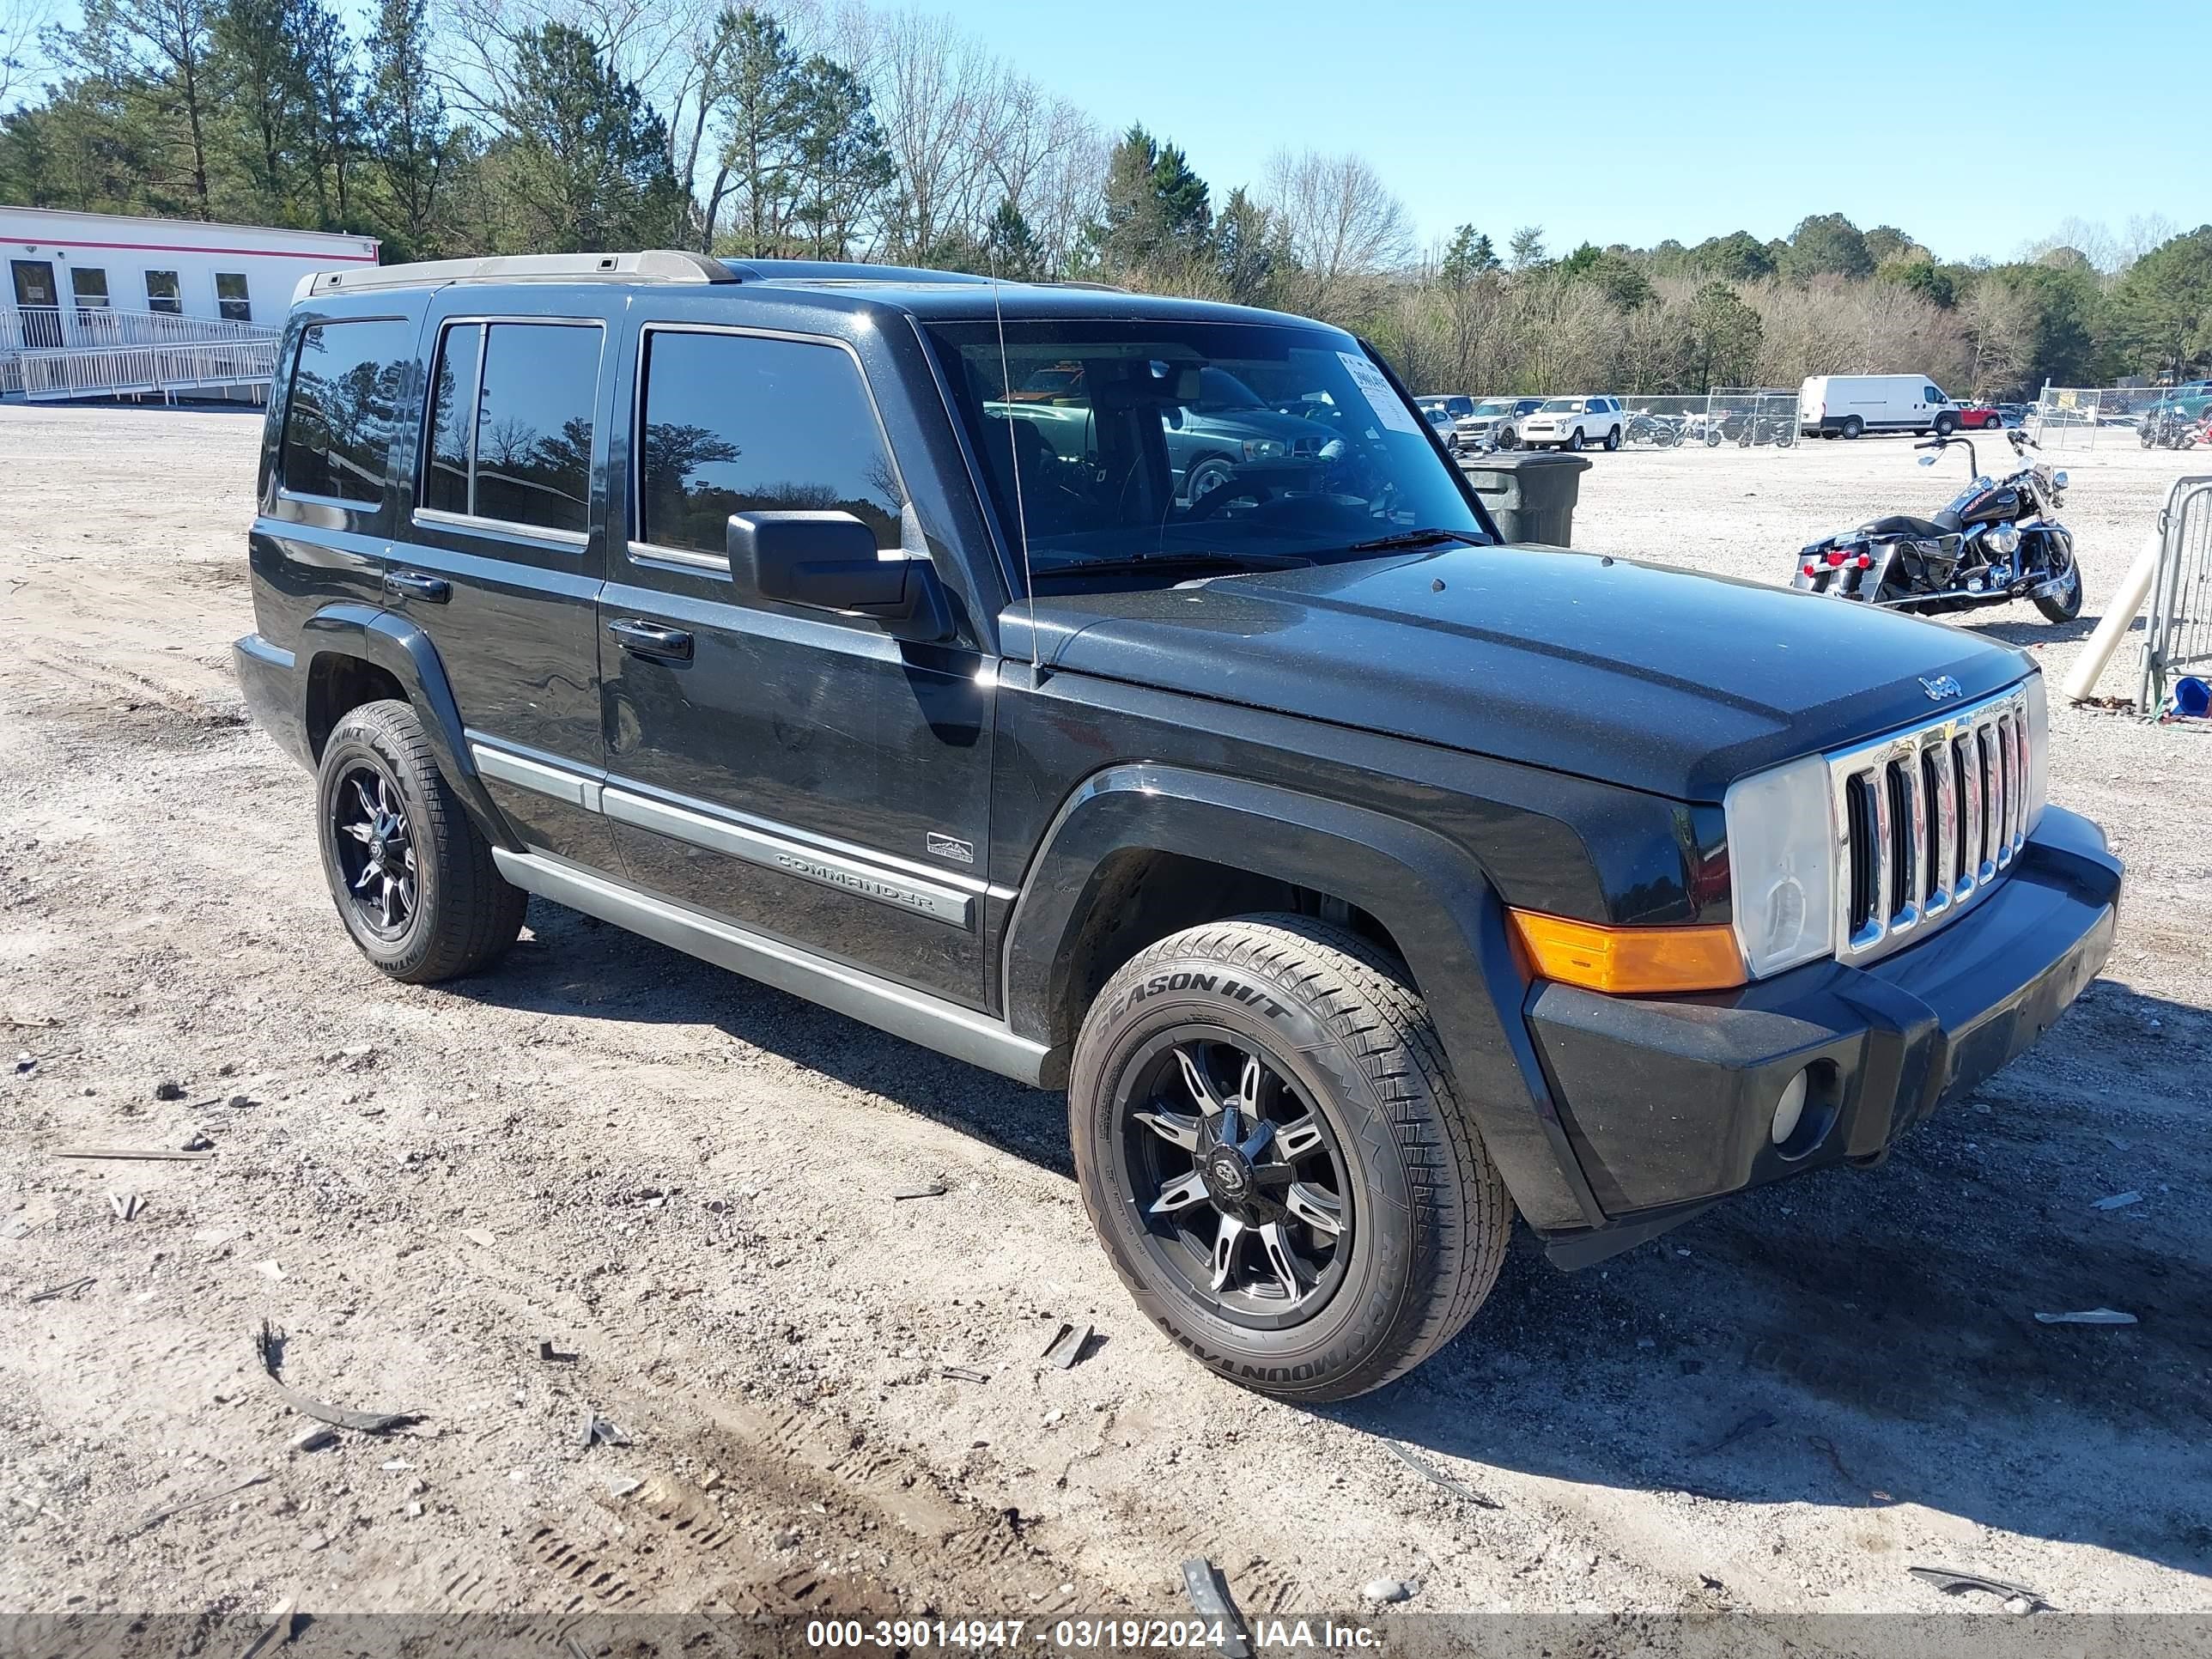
(510, 424)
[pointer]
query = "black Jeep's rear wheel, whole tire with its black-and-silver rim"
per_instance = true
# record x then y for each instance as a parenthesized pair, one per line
(439, 908)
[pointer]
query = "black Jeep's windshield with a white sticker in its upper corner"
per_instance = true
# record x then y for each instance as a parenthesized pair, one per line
(1193, 444)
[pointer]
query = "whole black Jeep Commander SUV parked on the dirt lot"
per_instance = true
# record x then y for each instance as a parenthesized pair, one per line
(1361, 879)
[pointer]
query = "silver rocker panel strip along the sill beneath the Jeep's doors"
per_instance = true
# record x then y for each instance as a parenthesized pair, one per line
(899, 1010)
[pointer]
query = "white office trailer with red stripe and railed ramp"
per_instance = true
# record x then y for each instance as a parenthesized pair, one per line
(112, 306)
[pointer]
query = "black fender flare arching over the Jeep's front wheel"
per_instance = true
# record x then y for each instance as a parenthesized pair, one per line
(1430, 895)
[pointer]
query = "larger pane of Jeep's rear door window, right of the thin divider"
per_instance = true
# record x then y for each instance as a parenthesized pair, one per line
(534, 426)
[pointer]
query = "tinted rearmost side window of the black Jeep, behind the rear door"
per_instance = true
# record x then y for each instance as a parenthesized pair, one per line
(346, 395)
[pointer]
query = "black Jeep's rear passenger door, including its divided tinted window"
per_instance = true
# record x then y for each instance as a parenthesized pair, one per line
(503, 552)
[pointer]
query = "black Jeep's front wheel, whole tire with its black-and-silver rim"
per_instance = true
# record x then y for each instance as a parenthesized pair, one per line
(1333, 1043)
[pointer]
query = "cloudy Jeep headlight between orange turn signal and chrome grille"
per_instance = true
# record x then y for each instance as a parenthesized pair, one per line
(1782, 866)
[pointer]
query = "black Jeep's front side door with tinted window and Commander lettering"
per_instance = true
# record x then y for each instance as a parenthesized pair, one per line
(802, 773)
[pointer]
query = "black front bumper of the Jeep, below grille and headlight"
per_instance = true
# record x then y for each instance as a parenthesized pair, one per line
(1669, 1103)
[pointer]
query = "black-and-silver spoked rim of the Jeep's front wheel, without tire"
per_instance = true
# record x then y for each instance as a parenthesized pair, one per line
(1238, 1178)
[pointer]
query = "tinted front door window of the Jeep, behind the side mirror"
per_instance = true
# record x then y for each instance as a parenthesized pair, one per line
(740, 426)
